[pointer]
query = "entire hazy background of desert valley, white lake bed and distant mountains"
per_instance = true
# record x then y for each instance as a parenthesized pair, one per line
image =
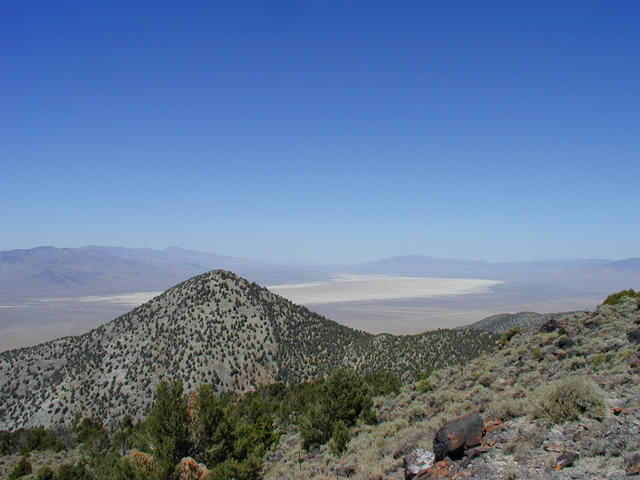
(48, 292)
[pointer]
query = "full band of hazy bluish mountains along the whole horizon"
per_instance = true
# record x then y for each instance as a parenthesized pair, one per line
(95, 270)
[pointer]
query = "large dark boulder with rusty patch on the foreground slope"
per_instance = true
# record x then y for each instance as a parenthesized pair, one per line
(458, 435)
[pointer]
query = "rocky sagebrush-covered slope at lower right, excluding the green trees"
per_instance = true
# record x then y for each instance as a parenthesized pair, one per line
(558, 401)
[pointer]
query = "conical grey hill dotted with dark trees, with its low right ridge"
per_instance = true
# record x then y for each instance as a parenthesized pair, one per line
(214, 328)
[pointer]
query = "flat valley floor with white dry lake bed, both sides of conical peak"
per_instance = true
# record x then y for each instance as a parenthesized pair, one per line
(373, 303)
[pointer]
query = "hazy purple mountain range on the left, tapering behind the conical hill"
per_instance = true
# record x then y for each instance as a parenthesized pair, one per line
(96, 270)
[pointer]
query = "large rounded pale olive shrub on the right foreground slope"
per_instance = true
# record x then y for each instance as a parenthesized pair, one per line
(568, 399)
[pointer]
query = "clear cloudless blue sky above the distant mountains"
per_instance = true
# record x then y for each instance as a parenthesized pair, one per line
(323, 130)
